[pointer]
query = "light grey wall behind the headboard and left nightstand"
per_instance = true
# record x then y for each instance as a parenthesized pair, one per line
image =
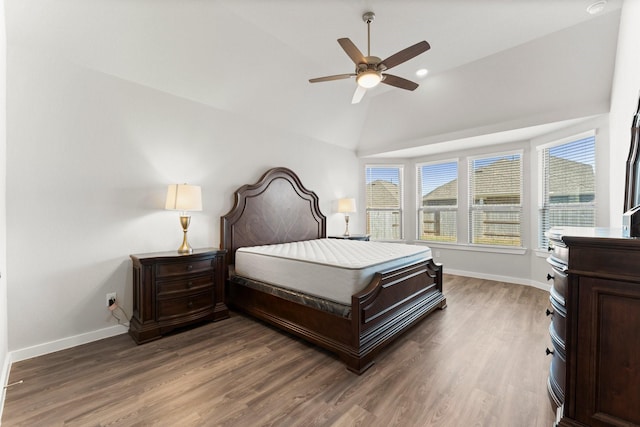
(89, 159)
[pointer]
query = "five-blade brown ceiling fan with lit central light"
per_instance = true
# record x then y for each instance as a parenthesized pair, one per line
(370, 70)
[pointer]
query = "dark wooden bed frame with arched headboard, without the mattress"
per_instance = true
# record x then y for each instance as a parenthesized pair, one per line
(279, 209)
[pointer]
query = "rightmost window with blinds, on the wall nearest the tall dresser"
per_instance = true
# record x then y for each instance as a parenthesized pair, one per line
(568, 185)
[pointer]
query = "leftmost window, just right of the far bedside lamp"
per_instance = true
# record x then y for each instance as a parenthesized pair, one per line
(384, 202)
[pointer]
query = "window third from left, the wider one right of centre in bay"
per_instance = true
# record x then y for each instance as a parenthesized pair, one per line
(495, 200)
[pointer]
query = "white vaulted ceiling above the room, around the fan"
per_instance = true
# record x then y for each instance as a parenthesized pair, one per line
(498, 69)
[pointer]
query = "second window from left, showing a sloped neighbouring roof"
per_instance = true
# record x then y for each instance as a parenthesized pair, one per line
(437, 201)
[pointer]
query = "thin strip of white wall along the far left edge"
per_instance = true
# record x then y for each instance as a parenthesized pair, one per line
(4, 330)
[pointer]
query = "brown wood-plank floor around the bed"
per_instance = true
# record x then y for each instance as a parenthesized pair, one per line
(479, 362)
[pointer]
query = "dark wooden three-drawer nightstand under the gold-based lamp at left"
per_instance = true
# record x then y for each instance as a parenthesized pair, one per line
(172, 290)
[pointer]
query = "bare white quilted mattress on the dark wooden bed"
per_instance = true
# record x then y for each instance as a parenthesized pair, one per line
(333, 269)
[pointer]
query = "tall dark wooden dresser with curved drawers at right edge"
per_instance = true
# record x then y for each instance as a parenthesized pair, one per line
(595, 366)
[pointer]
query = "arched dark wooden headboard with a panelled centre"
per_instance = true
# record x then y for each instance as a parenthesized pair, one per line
(276, 209)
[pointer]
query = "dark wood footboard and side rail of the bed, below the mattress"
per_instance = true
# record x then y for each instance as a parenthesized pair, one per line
(393, 302)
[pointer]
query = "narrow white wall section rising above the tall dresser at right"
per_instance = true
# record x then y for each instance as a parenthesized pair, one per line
(624, 101)
